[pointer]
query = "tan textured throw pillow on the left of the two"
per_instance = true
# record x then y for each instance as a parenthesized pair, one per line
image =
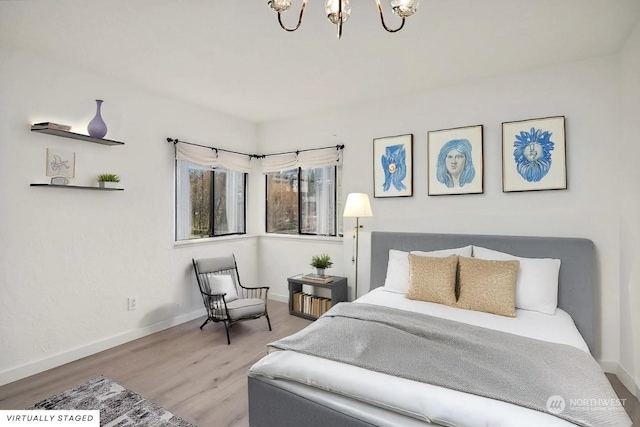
(432, 279)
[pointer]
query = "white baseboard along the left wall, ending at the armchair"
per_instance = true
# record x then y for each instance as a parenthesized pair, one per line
(26, 370)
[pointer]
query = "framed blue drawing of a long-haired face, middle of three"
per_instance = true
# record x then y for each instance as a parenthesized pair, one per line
(455, 161)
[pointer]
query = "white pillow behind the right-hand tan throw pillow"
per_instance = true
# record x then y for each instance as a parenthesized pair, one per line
(537, 282)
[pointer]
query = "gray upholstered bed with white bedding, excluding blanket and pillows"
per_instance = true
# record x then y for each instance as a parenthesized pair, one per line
(330, 393)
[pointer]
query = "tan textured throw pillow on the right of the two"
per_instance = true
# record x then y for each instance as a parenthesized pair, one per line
(488, 286)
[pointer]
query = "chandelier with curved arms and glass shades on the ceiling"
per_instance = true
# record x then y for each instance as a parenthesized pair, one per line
(338, 12)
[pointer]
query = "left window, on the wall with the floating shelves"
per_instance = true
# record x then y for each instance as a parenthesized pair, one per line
(210, 202)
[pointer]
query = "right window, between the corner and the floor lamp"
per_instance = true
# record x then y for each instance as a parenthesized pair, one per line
(302, 201)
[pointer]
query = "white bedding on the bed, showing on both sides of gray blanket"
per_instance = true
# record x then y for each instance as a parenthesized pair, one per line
(352, 390)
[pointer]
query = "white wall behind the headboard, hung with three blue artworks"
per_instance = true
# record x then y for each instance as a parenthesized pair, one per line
(585, 92)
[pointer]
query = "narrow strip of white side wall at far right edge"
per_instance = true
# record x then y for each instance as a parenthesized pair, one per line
(627, 151)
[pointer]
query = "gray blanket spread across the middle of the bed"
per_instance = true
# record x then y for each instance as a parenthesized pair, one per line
(471, 359)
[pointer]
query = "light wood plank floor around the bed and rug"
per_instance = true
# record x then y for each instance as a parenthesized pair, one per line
(190, 372)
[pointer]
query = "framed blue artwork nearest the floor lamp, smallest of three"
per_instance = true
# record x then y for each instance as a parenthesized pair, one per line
(393, 166)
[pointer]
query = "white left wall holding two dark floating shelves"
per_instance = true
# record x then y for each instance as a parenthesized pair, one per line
(71, 258)
